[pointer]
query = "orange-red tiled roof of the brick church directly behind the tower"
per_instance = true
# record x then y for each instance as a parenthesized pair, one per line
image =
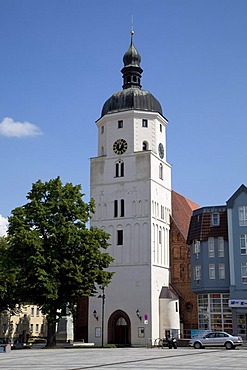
(182, 209)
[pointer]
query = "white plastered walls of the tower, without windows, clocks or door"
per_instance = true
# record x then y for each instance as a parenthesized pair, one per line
(141, 265)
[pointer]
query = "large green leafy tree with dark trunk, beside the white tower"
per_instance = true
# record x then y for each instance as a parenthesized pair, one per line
(57, 258)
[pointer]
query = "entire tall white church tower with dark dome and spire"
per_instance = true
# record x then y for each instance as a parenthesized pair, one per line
(131, 185)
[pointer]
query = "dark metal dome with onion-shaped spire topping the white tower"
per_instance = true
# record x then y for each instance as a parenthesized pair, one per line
(132, 96)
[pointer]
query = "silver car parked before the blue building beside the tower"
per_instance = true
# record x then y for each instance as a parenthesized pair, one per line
(216, 339)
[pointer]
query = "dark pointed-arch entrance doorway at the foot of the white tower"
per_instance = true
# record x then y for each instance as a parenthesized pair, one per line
(119, 328)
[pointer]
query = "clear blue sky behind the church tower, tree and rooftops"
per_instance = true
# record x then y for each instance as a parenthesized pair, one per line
(60, 60)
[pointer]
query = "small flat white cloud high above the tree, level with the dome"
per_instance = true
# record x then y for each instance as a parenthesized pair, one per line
(18, 129)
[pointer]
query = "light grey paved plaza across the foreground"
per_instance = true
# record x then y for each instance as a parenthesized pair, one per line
(124, 358)
